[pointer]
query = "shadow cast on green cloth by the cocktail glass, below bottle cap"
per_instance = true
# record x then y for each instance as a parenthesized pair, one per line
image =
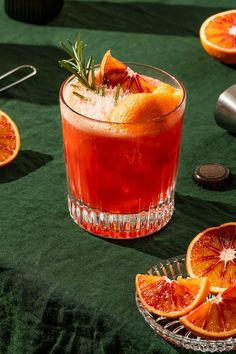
(196, 217)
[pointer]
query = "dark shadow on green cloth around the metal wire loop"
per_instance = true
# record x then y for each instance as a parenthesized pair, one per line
(43, 88)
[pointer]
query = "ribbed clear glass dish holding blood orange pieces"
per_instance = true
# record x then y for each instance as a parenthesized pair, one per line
(171, 329)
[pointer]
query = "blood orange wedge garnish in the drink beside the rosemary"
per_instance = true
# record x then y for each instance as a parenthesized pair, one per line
(113, 72)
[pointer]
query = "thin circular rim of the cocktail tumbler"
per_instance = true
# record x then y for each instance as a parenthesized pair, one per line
(61, 91)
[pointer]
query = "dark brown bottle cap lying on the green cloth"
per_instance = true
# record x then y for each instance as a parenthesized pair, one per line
(212, 176)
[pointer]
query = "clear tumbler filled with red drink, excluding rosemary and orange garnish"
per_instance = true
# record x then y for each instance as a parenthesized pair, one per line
(121, 176)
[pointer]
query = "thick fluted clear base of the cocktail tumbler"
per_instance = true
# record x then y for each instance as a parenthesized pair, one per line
(121, 226)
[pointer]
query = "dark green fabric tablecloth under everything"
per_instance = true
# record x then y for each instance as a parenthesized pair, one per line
(63, 290)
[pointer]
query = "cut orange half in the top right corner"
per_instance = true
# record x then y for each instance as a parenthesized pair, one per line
(218, 36)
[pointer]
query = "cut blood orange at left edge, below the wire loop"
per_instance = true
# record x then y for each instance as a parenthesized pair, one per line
(9, 139)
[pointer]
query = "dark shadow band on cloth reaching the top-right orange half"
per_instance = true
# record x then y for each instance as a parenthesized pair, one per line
(137, 17)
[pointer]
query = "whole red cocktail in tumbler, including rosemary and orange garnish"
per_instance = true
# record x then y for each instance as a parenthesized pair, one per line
(122, 127)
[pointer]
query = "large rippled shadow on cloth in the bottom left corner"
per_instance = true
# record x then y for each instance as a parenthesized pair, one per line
(45, 323)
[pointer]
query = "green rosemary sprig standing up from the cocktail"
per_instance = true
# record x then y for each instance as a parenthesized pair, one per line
(78, 65)
